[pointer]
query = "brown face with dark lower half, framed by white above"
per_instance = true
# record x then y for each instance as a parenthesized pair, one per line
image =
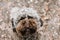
(26, 26)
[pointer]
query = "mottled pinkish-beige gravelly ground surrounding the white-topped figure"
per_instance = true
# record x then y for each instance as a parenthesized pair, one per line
(49, 11)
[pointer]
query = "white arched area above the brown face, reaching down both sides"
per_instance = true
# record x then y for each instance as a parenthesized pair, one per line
(17, 13)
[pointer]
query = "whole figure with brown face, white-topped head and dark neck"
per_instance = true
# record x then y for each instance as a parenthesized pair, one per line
(26, 22)
